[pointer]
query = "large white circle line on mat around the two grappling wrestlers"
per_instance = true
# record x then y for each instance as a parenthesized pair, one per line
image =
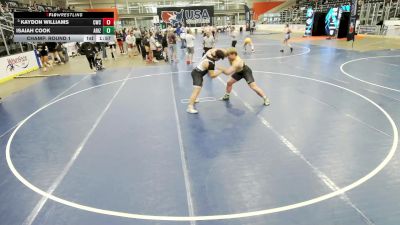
(321, 198)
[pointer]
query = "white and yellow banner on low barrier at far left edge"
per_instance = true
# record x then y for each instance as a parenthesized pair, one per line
(18, 64)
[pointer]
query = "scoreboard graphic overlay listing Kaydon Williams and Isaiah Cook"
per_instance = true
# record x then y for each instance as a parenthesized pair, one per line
(63, 27)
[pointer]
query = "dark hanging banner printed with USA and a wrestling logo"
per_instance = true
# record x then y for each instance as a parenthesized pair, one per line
(188, 16)
